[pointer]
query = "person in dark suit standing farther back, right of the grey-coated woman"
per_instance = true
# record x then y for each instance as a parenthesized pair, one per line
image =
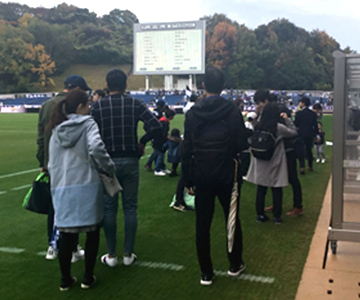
(306, 122)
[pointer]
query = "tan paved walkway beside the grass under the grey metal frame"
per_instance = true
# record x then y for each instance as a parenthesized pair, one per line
(340, 279)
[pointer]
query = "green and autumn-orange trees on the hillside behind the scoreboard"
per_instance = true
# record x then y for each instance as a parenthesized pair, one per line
(38, 43)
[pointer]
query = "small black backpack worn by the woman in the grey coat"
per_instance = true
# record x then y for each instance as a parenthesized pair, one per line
(262, 144)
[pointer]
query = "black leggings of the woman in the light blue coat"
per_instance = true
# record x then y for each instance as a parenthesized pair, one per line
(66, 242)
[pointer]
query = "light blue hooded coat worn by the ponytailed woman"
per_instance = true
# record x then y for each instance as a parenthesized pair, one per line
(76, 152)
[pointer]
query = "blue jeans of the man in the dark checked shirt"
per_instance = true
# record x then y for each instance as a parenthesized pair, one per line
(127, 172)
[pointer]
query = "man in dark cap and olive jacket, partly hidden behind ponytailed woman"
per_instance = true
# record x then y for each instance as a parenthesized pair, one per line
(72, 82)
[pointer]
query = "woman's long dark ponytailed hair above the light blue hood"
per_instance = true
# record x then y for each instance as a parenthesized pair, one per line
(67, 106)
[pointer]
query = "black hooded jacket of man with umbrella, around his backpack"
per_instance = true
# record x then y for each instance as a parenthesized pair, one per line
(212, 109)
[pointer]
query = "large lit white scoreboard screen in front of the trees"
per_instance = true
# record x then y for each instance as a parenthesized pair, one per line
(169, 48)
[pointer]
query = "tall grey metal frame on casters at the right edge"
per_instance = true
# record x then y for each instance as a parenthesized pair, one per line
(345, 206)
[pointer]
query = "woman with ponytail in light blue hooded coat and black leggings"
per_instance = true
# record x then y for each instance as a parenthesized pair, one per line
(76, 154)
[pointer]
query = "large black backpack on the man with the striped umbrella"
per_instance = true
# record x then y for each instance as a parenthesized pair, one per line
(212, 156)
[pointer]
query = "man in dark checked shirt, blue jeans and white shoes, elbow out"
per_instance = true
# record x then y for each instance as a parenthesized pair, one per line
(117, 116)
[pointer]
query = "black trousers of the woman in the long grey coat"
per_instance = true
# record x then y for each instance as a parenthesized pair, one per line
(277, 200)
